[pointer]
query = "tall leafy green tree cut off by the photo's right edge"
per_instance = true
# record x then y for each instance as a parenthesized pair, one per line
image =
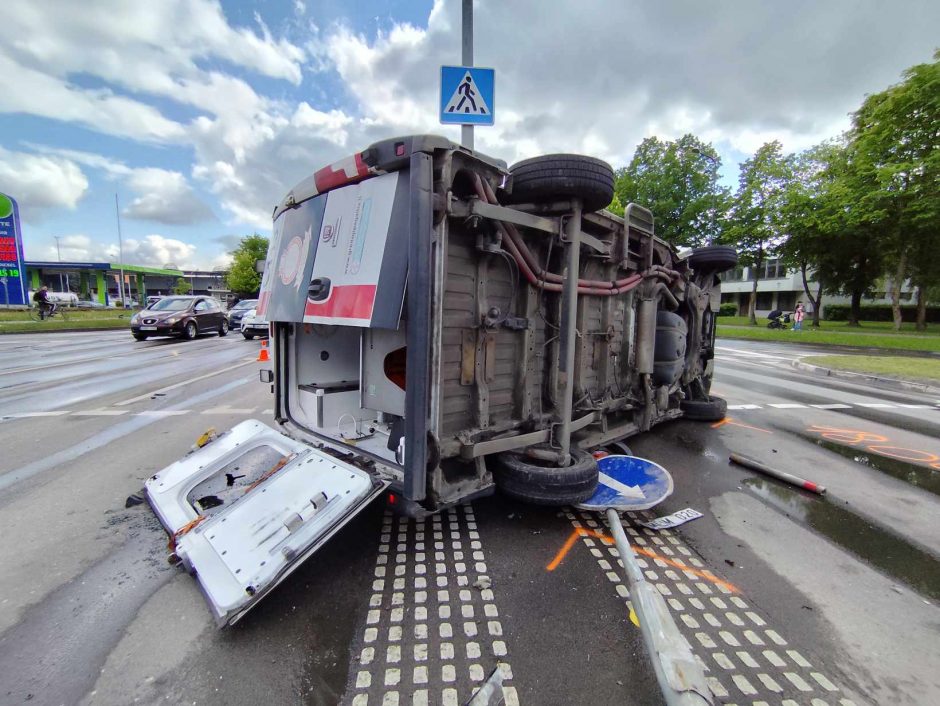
(895, 139)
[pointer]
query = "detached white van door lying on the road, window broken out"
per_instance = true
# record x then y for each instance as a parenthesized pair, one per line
(248, 508)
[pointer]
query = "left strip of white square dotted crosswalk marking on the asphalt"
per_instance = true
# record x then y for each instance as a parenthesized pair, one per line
(425, 587)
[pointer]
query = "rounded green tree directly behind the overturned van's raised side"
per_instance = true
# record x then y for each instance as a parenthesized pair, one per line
(678, 181)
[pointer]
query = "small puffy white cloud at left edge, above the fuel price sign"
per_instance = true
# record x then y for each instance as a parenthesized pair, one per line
(39, 182)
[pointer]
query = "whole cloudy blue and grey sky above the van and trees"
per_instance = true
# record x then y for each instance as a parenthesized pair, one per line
(200, 114)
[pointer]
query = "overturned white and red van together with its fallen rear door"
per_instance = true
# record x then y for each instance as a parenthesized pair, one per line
(537, 327)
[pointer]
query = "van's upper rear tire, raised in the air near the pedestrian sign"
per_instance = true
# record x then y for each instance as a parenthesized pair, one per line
(562, 176)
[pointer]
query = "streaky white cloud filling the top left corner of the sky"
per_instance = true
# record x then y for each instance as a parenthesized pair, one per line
(151, 48)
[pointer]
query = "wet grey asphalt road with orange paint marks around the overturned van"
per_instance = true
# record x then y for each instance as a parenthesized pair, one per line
(785, 597)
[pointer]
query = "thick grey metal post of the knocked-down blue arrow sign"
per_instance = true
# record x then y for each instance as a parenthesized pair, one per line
(680, 676)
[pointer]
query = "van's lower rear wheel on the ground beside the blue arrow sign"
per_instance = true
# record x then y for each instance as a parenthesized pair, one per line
(531, 481)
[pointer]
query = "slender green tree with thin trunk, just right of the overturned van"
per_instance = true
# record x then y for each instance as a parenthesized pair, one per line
(756, 226)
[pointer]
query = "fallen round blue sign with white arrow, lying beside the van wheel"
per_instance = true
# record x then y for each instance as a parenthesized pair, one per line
(628, 483)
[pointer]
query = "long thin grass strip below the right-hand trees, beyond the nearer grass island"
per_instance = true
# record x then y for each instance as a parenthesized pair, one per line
(825, 337)
